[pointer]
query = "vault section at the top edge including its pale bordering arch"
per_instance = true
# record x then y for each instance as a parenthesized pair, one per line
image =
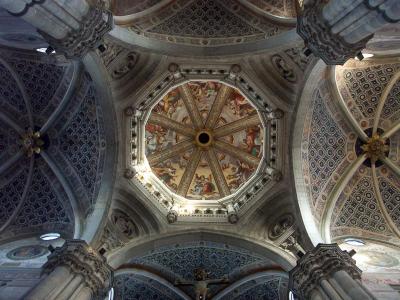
(203, 26)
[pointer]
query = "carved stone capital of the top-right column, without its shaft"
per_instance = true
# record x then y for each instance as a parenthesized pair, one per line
(318, 37)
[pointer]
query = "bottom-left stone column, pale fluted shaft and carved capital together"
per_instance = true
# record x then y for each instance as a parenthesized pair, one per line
(73, 272)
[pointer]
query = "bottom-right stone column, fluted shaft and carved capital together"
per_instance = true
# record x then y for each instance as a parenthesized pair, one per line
(327, 273)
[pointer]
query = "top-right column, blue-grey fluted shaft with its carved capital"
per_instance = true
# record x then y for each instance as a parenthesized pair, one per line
(337, 30)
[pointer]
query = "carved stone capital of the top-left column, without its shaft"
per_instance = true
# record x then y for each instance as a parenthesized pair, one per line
(77, 43)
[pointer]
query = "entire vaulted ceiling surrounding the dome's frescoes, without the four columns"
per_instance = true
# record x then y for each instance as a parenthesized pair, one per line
(85, 118)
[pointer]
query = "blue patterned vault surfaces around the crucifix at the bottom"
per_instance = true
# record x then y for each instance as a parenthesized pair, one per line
(223, 263)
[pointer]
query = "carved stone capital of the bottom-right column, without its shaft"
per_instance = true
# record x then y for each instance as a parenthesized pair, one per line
(318, 264)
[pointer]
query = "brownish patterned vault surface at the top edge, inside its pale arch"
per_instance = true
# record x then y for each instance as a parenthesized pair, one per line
(207, 22)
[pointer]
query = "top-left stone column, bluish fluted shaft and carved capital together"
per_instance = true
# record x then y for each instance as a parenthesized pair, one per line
(71, 27)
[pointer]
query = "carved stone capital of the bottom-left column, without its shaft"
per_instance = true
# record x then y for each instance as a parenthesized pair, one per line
(81, 259)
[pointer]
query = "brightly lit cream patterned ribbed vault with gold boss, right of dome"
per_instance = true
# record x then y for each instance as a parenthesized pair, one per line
(351, 154)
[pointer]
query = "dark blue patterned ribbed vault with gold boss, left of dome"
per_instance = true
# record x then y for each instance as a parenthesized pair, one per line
(51, 139)
